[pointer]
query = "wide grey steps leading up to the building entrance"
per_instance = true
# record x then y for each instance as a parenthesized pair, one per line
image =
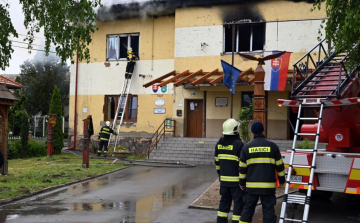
(198, 151)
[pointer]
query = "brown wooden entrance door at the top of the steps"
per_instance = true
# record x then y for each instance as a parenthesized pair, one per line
(194, 118)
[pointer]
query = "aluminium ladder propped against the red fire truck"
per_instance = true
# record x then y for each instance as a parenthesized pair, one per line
(302, 199)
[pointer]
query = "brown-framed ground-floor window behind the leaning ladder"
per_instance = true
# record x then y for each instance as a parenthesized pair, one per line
(111, 102)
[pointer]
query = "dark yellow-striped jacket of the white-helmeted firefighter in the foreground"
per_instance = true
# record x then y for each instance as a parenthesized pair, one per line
(227, 154)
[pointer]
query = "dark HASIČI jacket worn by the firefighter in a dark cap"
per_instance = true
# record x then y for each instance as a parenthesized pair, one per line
(258, 161)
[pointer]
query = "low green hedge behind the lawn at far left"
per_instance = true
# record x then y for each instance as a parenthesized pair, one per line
(35, 149)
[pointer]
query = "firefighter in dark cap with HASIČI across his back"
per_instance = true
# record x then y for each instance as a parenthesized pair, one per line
(258, 161)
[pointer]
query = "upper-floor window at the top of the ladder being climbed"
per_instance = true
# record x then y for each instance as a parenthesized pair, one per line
(117, 45)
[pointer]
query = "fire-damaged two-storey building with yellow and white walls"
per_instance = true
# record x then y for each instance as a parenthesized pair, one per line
(191, 36)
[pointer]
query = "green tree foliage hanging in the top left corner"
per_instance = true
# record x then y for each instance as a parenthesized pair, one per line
(67, 24)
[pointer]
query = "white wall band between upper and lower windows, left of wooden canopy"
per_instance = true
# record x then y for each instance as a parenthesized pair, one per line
(98, 79)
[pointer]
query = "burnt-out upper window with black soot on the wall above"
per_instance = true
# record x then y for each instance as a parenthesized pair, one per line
(248, 37)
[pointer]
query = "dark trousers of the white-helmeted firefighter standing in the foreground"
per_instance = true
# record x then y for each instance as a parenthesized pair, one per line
(228, 194)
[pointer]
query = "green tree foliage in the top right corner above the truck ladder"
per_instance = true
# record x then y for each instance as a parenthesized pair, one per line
(342, 26)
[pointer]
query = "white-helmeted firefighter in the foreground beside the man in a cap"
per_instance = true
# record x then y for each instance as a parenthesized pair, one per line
(227, 154)
